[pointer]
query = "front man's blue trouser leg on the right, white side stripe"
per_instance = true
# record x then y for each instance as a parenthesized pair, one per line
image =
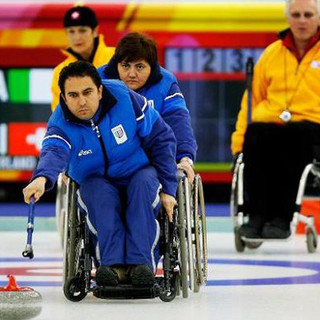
(143, 230)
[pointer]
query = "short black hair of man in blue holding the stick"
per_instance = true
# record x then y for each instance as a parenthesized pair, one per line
(79, 69)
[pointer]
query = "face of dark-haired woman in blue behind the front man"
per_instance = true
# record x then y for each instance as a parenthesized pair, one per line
(135, 73)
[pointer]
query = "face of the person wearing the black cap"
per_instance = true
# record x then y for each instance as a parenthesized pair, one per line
(81, 39)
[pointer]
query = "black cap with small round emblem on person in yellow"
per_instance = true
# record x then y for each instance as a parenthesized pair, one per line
(80, 16)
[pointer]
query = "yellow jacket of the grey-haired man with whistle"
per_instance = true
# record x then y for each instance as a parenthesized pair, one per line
(280, 81)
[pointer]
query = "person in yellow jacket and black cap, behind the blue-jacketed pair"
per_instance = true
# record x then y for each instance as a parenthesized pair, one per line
(81, 27)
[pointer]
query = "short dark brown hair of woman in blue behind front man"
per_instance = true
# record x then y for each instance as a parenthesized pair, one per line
(135, 46)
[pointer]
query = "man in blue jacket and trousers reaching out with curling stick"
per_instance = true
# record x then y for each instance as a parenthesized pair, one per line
(122, 155)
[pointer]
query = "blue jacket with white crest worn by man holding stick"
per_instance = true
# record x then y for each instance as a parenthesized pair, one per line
(124, 135)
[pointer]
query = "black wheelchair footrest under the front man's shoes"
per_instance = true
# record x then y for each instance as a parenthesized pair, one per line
(126, 292)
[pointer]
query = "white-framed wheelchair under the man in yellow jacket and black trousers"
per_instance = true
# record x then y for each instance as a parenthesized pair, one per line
(239, 217)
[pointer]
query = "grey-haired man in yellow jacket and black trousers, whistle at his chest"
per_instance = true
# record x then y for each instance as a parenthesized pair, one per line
(285, 126)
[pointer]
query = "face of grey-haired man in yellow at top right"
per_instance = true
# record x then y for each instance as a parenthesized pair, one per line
(303, 19)
